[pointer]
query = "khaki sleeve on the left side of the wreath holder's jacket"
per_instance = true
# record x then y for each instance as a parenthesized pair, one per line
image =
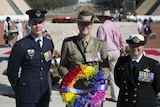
(63, 70)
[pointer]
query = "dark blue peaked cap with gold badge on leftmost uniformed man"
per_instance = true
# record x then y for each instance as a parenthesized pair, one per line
(36, 15)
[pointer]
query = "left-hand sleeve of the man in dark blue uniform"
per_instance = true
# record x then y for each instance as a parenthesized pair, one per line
(14, 64)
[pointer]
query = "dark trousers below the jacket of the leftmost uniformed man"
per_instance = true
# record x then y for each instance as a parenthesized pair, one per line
(43, 102)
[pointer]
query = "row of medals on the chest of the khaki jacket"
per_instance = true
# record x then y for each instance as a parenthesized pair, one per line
(91, 57)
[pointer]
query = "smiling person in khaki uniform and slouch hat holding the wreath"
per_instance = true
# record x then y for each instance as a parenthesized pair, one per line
(75, 49)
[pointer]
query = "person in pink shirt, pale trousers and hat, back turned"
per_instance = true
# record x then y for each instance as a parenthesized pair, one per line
(115, 45)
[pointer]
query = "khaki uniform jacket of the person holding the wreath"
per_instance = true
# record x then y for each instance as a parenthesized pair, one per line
(71, 56)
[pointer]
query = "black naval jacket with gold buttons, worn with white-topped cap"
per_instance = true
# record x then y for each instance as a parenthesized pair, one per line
(133, 91)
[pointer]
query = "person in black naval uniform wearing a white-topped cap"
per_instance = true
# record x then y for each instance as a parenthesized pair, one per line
(137, 76)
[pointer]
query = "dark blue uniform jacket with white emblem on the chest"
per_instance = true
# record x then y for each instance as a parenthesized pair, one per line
(28, 57)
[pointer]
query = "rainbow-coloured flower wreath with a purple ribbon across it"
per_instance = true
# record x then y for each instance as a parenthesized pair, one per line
(91, 97)
